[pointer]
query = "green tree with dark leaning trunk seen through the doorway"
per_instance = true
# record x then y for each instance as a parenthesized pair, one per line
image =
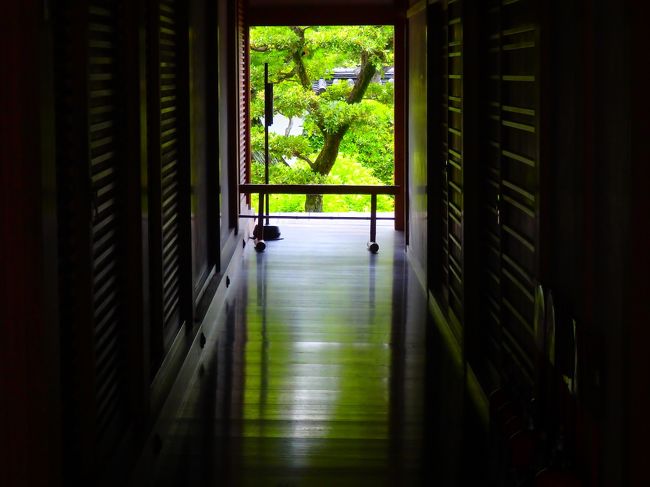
(355, 118)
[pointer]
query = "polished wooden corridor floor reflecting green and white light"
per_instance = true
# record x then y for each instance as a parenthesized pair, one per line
(315, 376)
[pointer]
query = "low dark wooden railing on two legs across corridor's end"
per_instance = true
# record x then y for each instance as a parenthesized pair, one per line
(264, 189)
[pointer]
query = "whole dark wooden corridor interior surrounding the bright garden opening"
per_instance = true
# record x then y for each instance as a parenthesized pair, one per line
(500, 337)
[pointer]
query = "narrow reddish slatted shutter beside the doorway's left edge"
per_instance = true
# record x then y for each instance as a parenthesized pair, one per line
(243, 100)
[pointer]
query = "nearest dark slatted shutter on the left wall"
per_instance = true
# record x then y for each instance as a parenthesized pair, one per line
(106, 150)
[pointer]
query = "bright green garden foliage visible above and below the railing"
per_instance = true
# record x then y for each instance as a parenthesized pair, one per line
(299, 56)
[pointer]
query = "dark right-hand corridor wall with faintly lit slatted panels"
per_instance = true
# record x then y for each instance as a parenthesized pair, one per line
(560, 92)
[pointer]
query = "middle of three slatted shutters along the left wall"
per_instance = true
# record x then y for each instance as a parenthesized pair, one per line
(168, 171)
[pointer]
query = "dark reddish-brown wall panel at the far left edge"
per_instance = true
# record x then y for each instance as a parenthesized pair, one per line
(29, 366)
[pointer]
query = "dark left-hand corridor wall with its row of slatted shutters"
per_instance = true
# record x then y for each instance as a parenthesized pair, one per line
(115, 237)
